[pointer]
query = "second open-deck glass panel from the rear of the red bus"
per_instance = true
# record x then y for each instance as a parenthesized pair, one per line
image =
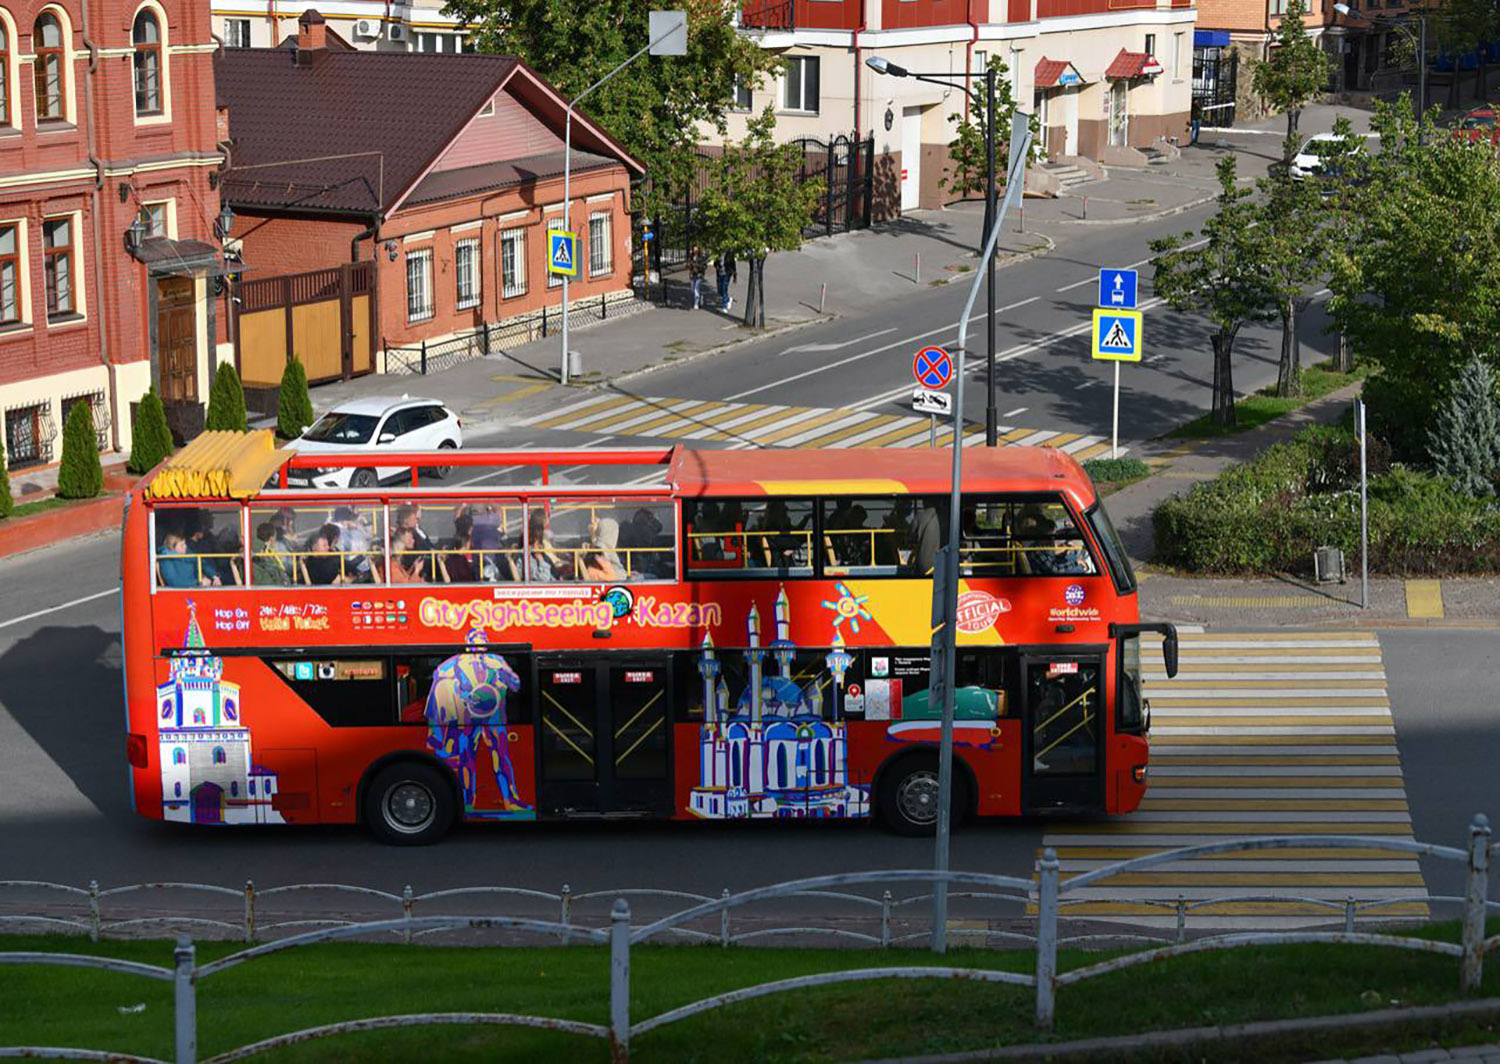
(317, 546)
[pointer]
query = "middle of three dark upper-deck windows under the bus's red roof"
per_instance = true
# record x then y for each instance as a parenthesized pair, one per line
(881, 537)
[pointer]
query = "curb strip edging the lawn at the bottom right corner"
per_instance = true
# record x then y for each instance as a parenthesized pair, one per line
(1198, 1039)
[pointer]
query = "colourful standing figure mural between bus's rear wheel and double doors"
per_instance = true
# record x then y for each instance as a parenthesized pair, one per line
(467, 711)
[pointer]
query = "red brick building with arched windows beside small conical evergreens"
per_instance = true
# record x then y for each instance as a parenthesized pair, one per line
(109, 212)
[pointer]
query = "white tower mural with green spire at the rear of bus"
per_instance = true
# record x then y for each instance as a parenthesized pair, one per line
(209, 775)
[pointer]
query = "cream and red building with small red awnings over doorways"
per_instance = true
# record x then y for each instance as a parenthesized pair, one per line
(1108, 77)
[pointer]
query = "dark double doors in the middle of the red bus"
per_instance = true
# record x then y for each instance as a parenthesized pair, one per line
(604, 738)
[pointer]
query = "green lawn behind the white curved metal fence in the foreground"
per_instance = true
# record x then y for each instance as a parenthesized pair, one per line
(329, 984)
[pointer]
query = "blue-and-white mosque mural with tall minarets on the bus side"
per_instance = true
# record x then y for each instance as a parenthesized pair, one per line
(772, 753)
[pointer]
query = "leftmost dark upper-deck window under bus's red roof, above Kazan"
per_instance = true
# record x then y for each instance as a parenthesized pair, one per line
(755, 537)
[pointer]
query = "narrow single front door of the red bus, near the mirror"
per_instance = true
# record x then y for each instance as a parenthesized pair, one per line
(1064, 732)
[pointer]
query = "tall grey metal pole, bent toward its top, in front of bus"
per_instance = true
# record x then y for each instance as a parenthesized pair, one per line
(1021, 146)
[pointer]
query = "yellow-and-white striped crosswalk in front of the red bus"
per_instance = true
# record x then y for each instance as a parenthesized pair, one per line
(1258, 736)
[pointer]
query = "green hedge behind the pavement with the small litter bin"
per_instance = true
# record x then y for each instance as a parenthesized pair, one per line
(1271, 514)
